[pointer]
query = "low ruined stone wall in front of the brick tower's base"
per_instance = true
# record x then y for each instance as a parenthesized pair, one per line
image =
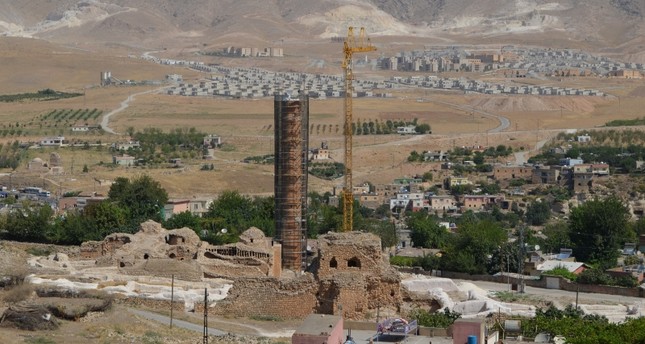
(286, 299)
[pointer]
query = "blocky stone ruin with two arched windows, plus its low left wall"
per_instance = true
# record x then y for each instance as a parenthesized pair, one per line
(348, 277)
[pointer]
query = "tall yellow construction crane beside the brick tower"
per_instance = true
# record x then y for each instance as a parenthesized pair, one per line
(352, 45)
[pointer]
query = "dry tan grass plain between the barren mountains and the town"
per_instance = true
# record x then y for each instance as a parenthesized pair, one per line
(246, 125)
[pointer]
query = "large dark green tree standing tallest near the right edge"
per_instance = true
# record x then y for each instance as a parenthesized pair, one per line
(597, 230)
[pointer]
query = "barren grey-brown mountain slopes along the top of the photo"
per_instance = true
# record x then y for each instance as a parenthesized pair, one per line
(610, 24)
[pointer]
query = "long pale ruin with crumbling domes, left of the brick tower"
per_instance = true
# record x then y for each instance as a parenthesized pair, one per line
(180, 252)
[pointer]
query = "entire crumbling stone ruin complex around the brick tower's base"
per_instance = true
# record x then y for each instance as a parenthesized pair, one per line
(348, 275)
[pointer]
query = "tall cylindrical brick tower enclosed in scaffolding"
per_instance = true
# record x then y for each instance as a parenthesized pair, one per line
(291, 119)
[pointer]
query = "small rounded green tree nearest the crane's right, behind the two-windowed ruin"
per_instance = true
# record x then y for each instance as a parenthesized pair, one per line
(426, 231)
